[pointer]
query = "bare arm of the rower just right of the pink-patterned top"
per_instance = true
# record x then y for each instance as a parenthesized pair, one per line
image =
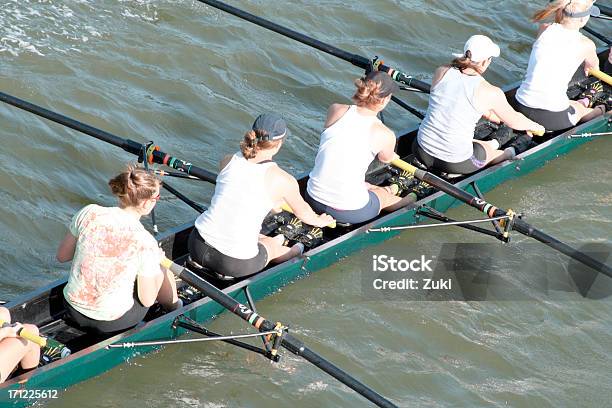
(287, 190)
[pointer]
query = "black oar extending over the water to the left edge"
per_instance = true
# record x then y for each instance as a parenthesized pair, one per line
(128, 145)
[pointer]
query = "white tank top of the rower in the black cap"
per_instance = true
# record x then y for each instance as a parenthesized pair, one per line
(345, 153)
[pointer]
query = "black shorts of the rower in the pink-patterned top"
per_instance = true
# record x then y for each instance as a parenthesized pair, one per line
(103, 327)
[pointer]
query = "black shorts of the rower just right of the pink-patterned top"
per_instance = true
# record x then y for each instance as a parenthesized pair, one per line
(212, 259)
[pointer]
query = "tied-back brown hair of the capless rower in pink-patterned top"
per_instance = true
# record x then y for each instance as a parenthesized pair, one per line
(134, 186)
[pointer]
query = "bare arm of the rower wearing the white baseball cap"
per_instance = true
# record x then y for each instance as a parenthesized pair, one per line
(493, 99)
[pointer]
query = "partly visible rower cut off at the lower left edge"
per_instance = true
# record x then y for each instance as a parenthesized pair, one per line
(14, 350)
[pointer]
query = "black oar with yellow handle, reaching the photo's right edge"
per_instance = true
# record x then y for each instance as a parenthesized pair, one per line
(490, 210)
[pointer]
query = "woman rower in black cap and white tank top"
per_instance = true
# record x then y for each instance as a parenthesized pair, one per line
(352, 138)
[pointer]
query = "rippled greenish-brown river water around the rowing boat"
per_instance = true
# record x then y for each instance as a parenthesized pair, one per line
(192, 79)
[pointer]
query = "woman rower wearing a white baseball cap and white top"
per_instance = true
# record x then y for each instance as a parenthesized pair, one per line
(460, 96)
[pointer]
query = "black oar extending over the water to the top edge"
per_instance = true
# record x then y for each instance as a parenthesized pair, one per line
(354, 59)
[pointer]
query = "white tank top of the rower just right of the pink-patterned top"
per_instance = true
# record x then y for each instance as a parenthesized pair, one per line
(241, 202)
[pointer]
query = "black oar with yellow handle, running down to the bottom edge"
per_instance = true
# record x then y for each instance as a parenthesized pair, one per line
(283, 338)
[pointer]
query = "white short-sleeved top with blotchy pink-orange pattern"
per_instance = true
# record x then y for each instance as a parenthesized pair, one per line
(113, 248)
